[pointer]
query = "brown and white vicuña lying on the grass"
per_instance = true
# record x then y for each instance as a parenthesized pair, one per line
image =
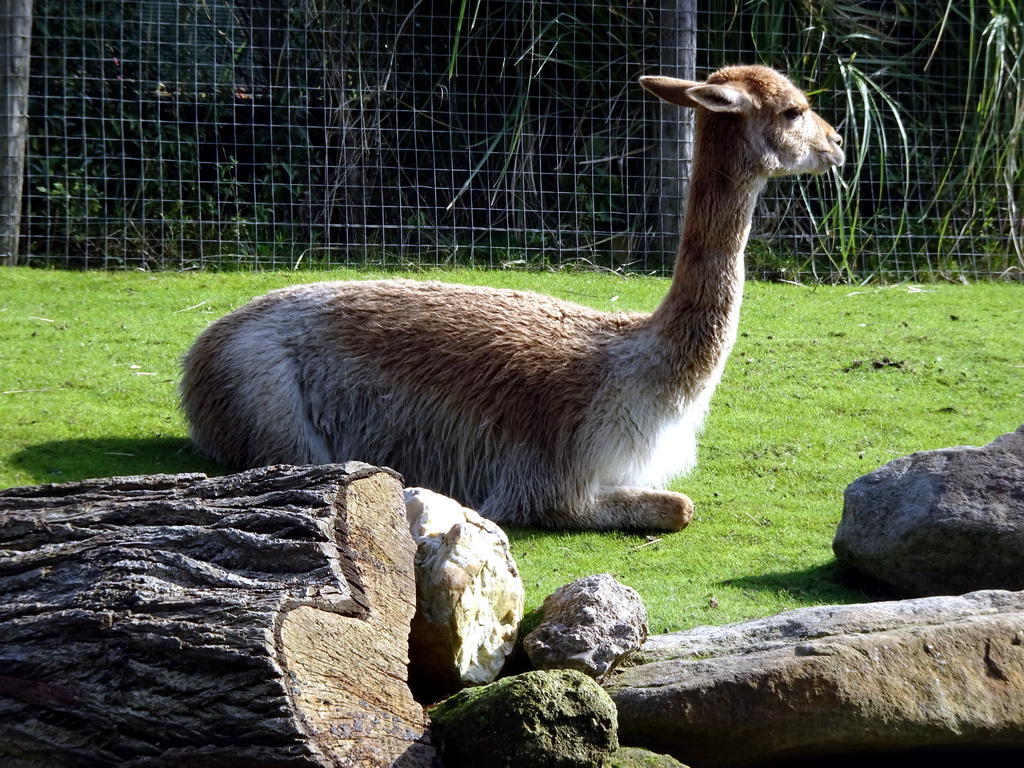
(532, 410)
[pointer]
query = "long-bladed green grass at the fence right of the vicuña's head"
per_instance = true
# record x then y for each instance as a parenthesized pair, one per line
(930, 100)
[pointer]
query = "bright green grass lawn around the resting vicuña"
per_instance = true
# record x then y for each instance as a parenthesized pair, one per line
(825, 385)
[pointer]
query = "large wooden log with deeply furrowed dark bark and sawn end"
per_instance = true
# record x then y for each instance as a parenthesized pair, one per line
(257, 620)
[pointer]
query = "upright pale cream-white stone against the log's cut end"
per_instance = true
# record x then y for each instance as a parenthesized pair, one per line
(470, 596)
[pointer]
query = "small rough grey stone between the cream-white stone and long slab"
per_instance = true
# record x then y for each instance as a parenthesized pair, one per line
(589, 625)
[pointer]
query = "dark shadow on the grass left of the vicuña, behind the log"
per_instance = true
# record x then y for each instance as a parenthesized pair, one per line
(66, 461)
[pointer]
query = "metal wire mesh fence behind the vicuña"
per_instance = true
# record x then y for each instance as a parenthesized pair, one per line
(265, 134)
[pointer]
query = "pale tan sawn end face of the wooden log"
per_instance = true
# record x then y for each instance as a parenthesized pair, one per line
(348, 677)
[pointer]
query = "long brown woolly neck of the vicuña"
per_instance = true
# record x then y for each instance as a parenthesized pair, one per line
(700, 315)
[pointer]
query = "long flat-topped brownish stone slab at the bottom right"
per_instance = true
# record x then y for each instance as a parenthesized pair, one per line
(819, 682)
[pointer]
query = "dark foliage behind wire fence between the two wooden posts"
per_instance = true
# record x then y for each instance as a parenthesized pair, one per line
(178, 135)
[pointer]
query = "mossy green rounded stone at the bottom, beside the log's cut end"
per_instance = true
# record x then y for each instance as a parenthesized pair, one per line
(549, 718)
